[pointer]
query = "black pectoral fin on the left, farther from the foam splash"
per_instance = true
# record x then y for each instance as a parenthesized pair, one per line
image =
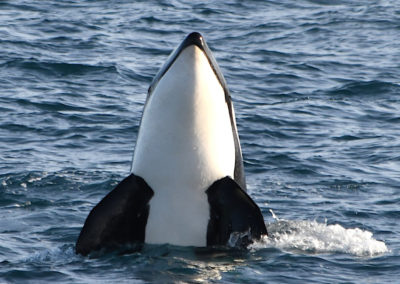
(119, 218)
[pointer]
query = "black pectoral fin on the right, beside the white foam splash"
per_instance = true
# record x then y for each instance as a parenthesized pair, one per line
(233, 215)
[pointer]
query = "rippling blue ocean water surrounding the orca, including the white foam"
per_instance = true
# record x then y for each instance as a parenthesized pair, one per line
(316, 89)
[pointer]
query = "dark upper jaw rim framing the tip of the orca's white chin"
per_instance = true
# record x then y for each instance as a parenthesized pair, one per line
(196, 39)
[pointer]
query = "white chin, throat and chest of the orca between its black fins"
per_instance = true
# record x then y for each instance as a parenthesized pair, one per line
(185, 143)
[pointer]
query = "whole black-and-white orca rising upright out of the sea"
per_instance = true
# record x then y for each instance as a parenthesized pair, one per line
(187, 185)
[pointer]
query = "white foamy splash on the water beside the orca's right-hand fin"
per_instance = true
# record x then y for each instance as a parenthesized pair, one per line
(315, 237)
